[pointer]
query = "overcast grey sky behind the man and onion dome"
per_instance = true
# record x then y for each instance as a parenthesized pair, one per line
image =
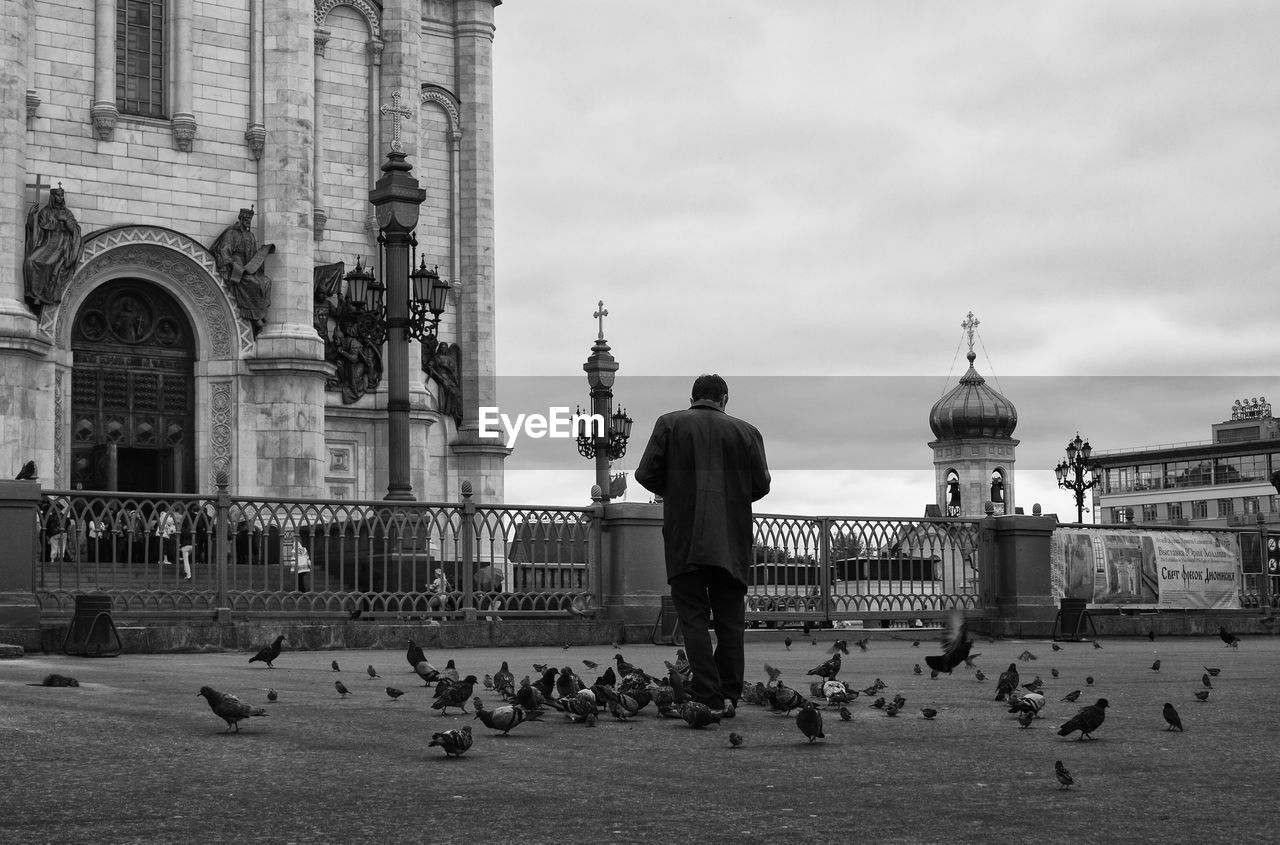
(810, 198)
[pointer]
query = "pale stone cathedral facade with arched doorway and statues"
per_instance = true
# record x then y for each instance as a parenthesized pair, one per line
(186, 203)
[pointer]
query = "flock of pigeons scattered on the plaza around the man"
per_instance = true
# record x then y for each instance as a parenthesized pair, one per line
(624, 692)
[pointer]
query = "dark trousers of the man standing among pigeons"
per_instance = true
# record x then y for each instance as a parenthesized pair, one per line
(706, 597)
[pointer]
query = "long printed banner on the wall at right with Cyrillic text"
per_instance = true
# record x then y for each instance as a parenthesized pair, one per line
(1146, 569)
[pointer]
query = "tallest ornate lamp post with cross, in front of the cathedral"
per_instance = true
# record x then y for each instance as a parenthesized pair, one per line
(396, 199)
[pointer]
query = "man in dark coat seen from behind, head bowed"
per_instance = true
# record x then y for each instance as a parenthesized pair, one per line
(708, 468)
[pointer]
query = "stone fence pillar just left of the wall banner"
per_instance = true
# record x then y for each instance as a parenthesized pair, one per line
(1025, 600)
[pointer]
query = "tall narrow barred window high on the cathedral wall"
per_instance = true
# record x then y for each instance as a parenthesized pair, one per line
(140, 58)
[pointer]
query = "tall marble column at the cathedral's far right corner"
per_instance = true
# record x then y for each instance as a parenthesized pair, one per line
(479, 462)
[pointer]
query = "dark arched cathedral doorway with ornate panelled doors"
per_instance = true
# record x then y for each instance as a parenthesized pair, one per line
(132, 391)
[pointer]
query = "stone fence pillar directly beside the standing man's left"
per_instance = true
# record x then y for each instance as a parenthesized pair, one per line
(633, 568)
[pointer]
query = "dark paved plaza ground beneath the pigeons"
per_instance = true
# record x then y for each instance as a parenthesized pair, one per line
(135, 756)
